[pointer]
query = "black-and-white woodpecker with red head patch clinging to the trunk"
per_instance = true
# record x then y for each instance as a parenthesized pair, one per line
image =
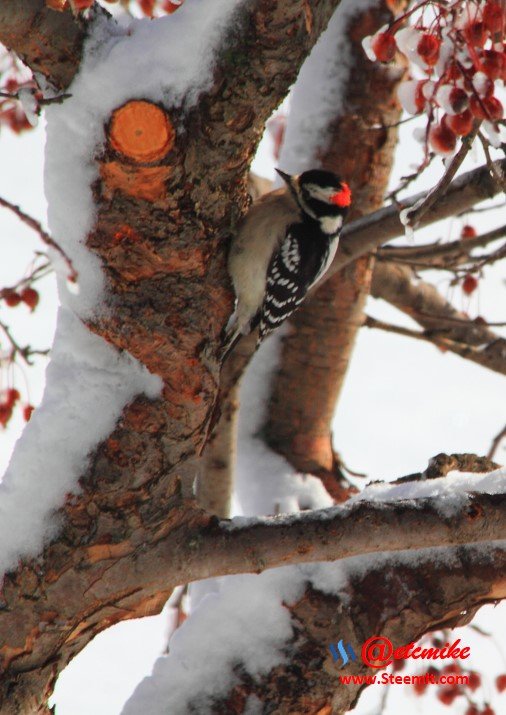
(283, 246)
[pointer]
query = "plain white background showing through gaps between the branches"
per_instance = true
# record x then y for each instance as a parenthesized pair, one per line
(402, 403)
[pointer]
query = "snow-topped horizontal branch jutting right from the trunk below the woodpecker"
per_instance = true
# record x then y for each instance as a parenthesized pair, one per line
(456, 509)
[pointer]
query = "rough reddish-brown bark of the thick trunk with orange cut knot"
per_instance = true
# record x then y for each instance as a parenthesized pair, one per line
(164, 213)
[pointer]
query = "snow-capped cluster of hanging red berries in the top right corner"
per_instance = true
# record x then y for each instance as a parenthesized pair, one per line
(458, 53)
